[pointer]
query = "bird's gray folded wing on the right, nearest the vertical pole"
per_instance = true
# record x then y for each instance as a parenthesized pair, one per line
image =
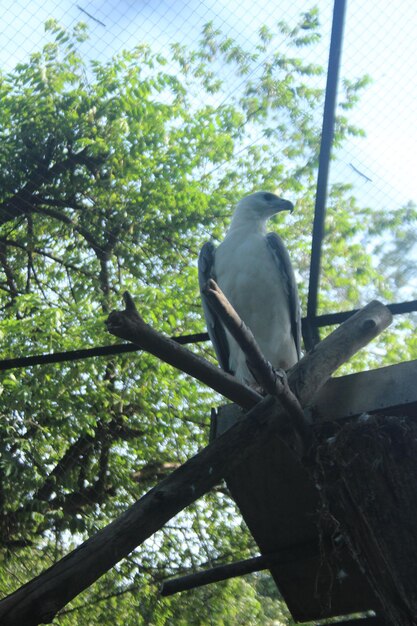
(283, 261)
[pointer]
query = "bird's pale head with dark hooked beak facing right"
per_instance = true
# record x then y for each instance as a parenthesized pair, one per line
(259, 207)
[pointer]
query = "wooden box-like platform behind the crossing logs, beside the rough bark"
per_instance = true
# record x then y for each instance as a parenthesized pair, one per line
(281, 506)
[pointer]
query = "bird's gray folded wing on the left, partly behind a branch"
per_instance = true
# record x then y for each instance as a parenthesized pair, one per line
(215, 328)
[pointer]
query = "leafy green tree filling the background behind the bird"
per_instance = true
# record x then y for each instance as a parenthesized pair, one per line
(112, 176)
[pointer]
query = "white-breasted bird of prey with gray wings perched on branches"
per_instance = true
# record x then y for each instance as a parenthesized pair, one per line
(254, 271)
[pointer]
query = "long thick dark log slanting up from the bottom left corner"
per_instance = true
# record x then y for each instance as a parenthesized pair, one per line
(39, 600)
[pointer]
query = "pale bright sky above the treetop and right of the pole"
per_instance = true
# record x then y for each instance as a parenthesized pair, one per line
(379, 40)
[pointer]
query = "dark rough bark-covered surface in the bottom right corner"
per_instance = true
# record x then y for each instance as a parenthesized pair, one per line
(368, 474)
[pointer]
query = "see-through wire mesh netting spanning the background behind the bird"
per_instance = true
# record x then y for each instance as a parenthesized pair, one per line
(115, 170)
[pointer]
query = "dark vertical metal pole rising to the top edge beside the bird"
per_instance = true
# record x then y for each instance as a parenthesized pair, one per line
(310, 330)
